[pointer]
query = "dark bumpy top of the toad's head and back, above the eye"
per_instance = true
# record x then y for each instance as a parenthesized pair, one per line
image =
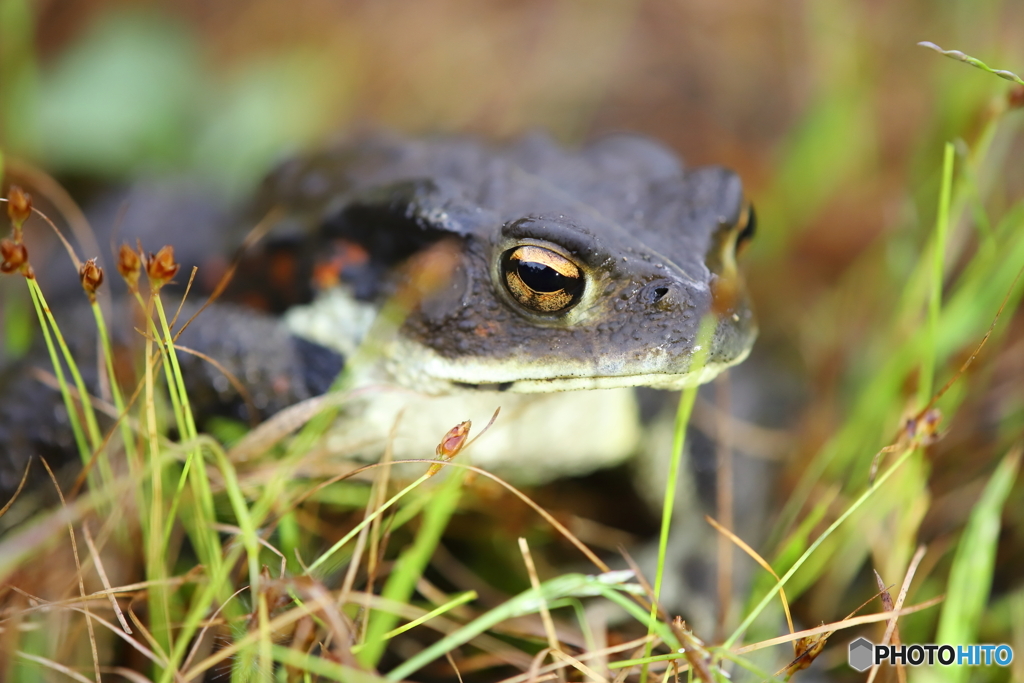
(633, 187)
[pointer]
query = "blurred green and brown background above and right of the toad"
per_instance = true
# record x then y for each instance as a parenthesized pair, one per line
(829, 110)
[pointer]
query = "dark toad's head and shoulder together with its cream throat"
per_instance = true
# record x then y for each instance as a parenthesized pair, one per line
(521, 272)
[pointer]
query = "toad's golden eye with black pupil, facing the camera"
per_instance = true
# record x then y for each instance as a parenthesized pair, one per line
(542, 280)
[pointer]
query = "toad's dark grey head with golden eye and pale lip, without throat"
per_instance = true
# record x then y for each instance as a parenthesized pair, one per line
(572, 270)
